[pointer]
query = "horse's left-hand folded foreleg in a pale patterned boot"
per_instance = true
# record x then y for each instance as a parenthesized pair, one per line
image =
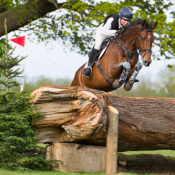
(126, 68)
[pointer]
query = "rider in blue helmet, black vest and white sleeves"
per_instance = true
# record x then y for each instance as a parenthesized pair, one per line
(111, 26)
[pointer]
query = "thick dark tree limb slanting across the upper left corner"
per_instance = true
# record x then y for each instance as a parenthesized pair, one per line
(19, 17)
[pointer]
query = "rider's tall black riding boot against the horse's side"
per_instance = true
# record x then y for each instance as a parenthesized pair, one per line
(92, 58)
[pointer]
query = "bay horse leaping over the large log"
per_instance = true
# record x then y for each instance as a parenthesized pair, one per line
(136, 39)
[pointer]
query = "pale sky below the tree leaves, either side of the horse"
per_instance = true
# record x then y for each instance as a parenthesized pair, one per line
(51, 61)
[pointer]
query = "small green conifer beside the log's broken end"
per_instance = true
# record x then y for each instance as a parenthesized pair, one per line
(18, 147)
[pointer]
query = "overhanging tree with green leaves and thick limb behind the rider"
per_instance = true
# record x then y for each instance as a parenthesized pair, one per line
(73, 22)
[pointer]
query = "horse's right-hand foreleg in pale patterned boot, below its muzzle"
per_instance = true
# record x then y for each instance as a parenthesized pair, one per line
(129, 84)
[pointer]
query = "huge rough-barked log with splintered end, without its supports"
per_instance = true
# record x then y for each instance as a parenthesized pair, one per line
(79, 115)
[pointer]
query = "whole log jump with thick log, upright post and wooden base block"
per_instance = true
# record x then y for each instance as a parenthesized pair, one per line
(82, 116)
